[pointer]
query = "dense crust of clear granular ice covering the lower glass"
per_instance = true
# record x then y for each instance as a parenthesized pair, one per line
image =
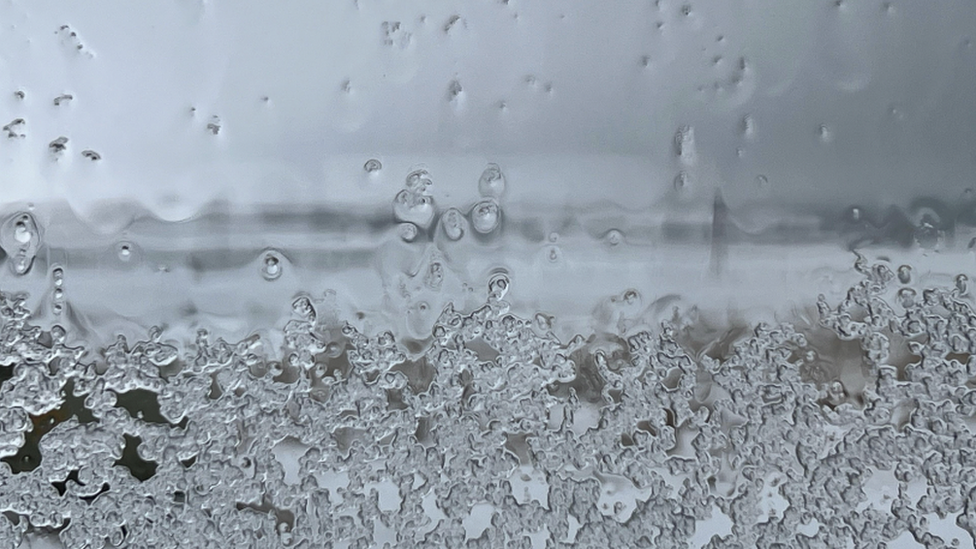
(493, 433)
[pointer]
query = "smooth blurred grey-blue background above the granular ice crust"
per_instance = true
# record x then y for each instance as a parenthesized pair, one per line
(728, 155)
